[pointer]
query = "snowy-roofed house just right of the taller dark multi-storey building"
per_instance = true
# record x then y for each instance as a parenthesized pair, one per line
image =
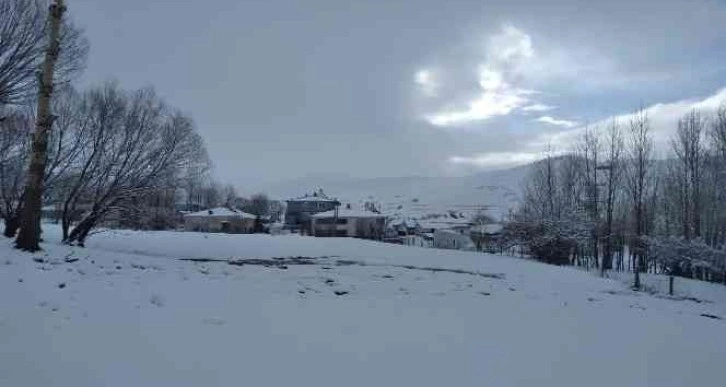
(345, 222)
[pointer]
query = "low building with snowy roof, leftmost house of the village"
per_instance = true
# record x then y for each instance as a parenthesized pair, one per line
(220, 219)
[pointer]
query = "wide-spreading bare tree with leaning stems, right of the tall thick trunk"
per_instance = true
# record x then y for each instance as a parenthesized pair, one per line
(133, 146)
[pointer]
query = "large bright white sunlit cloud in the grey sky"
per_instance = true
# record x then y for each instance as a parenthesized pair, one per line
(507, 54)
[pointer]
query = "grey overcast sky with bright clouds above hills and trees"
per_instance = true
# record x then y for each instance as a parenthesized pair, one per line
(286, 89)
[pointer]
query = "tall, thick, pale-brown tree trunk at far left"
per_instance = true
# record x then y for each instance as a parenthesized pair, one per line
(29, 235)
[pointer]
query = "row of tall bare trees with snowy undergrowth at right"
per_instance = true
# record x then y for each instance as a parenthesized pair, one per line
(613, 204)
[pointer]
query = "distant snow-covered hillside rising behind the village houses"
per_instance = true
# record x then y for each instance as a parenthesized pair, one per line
(493, 191)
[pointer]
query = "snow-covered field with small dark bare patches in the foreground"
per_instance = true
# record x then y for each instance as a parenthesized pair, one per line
(129, 312)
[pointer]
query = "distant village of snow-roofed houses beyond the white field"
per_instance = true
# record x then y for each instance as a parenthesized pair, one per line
(319, 215)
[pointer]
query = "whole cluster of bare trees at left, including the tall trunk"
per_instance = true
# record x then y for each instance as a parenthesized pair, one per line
(96, 156)
